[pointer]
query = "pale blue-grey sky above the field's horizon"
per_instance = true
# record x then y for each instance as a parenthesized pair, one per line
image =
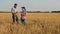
(31, 5)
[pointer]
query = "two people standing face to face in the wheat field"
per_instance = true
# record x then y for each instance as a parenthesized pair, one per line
(14, 14)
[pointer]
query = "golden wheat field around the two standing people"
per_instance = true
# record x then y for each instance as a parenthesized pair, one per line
(36, 23)
